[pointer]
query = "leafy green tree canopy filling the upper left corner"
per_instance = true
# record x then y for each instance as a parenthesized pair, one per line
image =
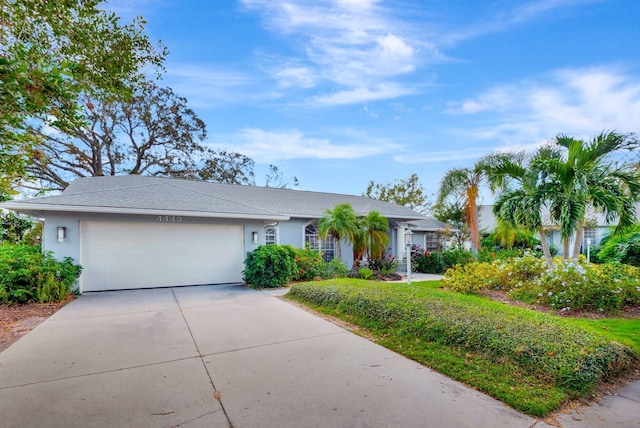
(53, 51)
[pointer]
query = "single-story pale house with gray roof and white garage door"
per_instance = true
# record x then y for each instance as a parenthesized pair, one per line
(141, 232)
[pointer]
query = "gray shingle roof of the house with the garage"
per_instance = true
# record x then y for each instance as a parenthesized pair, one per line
(138, 194)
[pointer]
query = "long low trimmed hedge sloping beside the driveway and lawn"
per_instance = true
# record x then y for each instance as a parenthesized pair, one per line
(541, 346)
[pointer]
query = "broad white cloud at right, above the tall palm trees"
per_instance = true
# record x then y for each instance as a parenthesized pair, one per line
(577, 102)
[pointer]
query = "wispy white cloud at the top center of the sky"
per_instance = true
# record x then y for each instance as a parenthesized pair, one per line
(356, 44)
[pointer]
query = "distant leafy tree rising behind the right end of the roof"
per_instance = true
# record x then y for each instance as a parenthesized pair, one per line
(405, 192)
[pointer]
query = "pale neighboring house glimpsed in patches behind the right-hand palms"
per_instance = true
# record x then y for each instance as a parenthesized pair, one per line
(596, 229)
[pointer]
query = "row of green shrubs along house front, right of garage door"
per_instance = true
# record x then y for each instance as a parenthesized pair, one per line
(272, 266)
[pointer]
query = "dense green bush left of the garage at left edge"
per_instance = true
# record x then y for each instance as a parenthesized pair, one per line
(28, 275)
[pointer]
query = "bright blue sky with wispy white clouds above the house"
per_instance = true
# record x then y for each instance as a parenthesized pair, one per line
(340, 92)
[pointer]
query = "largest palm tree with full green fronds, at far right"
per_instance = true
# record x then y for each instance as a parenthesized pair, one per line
(585, 176)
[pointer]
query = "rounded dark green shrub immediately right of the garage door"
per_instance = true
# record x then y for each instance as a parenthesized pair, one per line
(269, 266)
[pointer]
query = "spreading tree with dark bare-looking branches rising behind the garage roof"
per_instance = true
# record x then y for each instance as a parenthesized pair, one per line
(153, 133)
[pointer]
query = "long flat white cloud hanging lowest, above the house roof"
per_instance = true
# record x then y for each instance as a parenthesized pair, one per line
(267, 146)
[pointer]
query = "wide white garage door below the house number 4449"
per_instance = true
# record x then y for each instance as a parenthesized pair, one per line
(117, 256)
